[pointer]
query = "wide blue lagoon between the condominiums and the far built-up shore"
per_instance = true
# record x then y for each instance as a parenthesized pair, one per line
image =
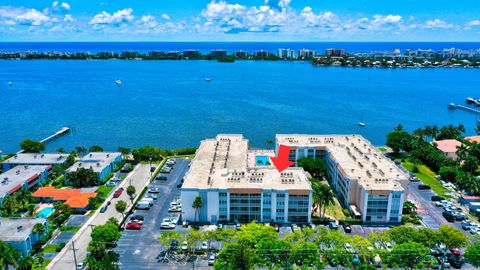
(169, 104)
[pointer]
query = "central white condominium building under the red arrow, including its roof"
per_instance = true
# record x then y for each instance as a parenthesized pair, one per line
(238, 184)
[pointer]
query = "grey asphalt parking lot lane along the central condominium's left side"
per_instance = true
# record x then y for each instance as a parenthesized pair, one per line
(141, 249)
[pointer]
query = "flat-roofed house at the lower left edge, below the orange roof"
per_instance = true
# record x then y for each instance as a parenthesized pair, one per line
(19, 232)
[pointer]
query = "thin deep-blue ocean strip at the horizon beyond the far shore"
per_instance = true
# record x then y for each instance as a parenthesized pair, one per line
(205, 47)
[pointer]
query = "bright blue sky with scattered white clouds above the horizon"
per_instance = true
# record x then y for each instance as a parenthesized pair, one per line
(240, 20)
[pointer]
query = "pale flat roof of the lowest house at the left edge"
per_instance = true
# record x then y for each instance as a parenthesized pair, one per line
(17, 229)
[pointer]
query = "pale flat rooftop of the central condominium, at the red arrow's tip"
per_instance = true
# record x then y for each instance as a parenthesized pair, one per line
(222, 163)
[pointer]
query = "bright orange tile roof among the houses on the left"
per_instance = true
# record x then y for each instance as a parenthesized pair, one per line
(78, 200)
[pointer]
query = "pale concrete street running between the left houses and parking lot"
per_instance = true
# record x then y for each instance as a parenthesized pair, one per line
(139, 177)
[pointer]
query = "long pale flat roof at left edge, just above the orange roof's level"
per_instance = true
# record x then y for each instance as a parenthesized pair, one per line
(13, 179)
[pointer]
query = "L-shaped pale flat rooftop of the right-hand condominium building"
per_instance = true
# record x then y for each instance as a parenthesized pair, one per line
(357, 158)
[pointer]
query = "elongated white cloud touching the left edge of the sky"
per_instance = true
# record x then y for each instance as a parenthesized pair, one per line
(19, 15)
